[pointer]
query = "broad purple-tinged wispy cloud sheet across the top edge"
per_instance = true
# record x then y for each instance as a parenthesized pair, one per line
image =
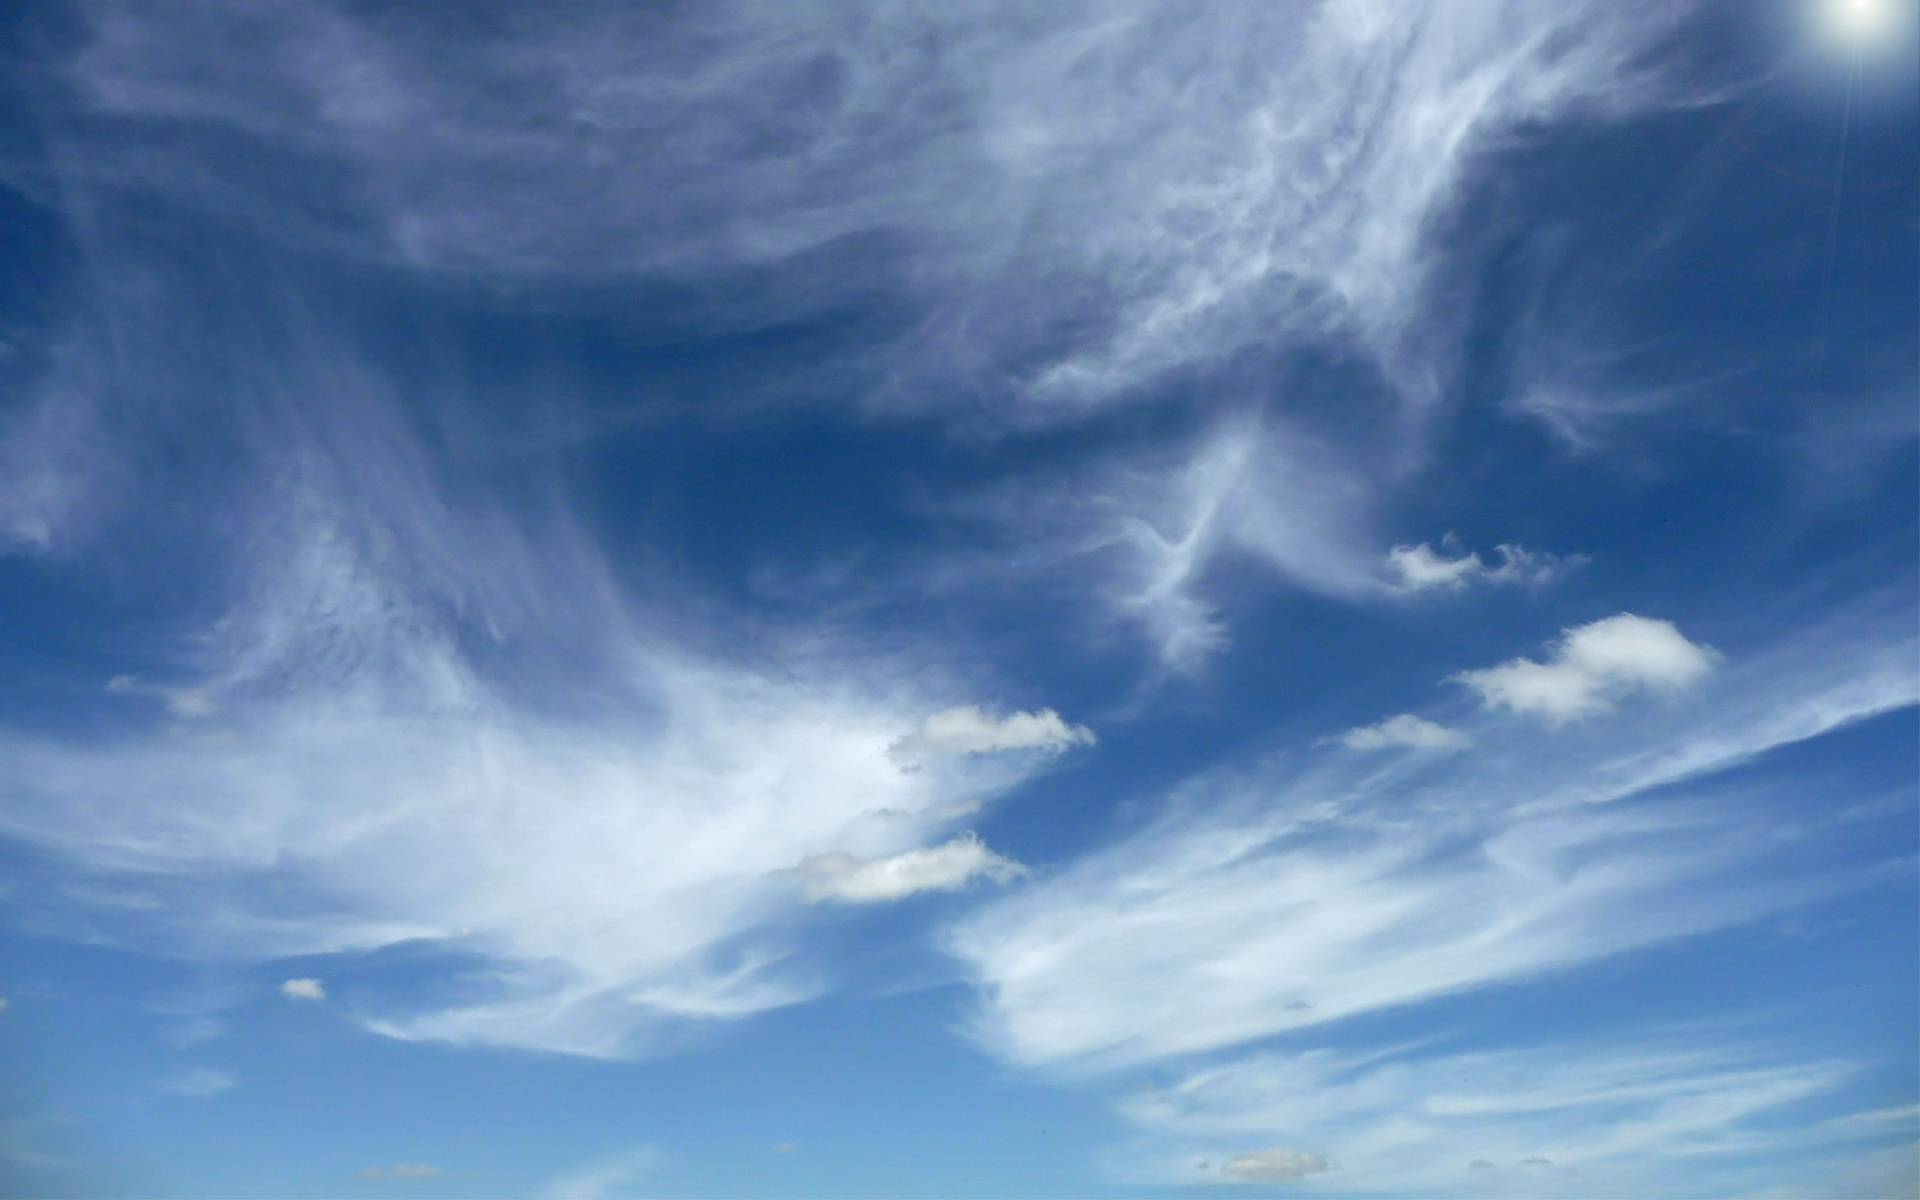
(1203, 174)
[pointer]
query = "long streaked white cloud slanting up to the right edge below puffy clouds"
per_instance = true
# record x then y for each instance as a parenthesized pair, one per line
(1299, 896)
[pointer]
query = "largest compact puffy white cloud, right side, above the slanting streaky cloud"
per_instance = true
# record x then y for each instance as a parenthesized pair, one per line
(1591, 667)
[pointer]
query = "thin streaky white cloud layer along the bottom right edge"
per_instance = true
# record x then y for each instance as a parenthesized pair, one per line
(1589, 1118)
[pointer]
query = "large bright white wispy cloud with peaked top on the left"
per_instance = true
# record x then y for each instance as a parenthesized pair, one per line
(615, 869)
